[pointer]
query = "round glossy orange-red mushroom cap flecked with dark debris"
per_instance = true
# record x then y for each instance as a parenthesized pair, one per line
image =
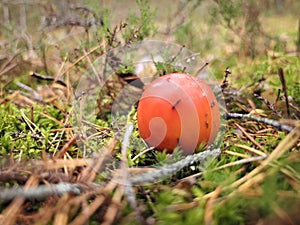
(178, 110)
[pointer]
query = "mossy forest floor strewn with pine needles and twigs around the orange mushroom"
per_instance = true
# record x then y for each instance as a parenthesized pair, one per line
(70, 155)
